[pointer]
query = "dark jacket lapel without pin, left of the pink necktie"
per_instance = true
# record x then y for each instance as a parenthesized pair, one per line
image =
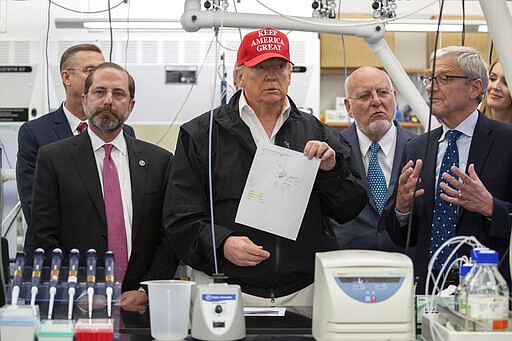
(85, 161)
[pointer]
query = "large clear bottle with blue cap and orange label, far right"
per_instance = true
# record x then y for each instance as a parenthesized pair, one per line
(487, 294)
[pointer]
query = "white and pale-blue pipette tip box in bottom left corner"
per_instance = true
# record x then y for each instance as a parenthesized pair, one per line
(18, 322)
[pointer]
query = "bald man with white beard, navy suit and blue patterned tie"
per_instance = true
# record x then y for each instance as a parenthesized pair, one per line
(371, 102)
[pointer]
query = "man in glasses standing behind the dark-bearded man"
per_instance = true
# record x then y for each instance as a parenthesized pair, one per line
(75, 64)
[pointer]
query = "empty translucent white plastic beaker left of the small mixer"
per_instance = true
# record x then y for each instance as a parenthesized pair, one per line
(169, 308)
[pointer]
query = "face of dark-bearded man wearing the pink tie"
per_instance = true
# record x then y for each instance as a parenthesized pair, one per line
(107, 104)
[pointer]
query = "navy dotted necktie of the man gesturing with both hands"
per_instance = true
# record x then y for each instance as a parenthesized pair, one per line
(445, 214)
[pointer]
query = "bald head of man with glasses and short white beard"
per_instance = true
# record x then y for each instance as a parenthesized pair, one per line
(371, 101)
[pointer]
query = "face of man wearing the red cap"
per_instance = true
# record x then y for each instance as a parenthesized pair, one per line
(266, 82)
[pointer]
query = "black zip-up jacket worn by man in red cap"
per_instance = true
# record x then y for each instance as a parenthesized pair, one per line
(337, 194)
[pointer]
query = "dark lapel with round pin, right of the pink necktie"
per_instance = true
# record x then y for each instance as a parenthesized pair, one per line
(138, 174)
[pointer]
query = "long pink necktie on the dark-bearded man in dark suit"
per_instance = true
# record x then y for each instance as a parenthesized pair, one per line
(115, 217)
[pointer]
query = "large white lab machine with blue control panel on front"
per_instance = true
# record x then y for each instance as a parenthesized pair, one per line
(363, 295)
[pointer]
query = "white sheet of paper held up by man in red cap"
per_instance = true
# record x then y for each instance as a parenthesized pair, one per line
(277, 191)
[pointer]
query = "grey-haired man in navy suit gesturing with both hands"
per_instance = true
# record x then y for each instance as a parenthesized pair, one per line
(480, 187)
